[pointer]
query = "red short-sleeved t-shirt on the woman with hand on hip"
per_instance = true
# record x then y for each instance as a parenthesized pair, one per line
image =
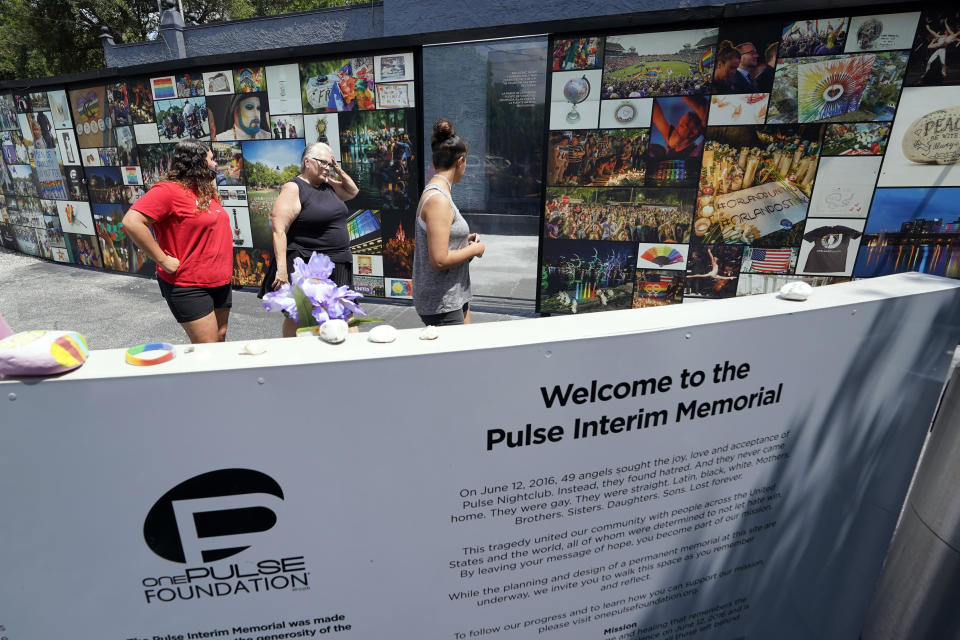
(200, 239)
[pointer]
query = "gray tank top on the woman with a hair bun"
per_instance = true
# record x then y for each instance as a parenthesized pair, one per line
(440, 291)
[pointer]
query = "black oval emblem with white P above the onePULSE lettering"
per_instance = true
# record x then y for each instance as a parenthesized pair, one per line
(211, 516)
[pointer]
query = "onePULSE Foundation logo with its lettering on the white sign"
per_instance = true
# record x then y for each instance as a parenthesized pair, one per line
(212, 517)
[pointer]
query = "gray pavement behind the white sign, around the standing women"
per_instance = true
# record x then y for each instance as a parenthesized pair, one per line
(113, 310)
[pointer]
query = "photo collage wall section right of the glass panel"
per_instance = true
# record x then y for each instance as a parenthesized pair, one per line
(729, 160)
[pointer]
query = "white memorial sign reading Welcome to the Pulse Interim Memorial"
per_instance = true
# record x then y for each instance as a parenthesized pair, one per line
(667, 477)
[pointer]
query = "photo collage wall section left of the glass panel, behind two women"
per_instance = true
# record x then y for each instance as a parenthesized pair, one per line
(75, 159)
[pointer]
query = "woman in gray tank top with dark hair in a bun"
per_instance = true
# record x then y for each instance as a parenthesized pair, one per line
(444, 245)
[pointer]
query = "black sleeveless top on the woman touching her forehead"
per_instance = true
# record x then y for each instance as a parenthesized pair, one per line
(322, 223)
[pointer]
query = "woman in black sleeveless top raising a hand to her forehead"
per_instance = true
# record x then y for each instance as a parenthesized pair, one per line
(310, 215)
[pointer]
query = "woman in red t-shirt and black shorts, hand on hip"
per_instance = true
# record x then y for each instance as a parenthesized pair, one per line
(193, 248)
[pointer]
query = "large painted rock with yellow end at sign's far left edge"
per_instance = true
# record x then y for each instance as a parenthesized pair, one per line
(38, 353)
